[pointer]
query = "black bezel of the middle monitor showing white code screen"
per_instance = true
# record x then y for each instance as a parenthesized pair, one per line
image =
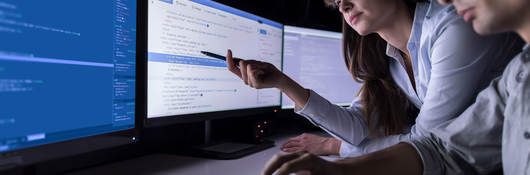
(195, 117)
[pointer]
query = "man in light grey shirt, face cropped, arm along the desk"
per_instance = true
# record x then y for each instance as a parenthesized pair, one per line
(492, 134)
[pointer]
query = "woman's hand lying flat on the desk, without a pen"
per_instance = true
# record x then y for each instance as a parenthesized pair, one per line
(313, 144)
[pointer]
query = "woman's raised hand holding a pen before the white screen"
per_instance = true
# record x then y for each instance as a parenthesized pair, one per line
(254, 73)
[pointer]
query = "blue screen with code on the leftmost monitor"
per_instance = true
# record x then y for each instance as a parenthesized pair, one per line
(67, 70)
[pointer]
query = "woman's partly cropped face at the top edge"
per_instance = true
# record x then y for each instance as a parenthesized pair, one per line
(368, 16)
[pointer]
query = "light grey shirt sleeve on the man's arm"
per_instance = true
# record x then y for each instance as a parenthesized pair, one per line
(471, 143)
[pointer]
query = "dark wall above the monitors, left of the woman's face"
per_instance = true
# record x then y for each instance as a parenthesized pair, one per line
(303, 13)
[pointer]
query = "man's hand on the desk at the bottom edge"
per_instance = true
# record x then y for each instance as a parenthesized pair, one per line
(301, 163)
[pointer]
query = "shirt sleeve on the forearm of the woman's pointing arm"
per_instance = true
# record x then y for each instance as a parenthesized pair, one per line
(346, 124)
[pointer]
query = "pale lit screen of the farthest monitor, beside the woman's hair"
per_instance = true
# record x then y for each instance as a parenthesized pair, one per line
(314, 59)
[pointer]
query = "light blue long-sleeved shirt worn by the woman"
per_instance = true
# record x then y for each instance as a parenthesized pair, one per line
(451, 64)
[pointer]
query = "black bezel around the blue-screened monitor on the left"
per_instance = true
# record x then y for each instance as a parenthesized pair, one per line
(32, 156)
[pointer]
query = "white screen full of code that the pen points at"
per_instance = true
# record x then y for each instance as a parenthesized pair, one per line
(181, 80)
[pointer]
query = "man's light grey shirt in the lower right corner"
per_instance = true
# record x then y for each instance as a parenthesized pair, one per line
(491, 134)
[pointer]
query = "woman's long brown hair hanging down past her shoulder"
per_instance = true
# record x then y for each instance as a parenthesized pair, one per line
(385, 106)
